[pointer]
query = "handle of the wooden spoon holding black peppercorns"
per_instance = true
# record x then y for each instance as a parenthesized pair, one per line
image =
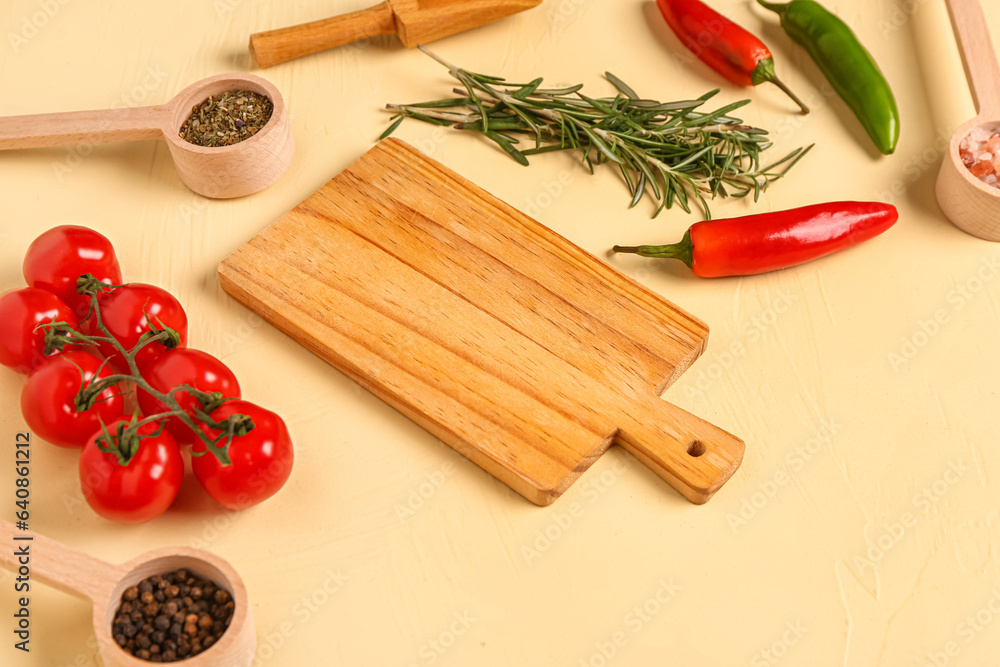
(38, 558)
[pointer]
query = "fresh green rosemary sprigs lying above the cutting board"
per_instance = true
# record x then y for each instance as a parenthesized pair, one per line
(673, 151)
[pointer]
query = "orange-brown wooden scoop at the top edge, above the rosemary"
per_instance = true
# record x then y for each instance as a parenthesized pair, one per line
(415, 21)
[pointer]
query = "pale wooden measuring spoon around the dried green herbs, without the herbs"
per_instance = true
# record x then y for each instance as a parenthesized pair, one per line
(221, 173)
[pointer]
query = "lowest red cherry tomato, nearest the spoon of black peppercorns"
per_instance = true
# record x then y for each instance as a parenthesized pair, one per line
(139, 491)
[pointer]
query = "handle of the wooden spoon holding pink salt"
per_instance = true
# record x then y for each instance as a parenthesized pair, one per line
(969, 24)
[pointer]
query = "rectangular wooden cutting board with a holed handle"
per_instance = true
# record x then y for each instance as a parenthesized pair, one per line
(520, 350)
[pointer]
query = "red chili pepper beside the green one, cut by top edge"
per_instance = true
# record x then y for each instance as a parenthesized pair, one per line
(722, 45)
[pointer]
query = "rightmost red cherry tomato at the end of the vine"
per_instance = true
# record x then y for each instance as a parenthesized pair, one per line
(261, 459)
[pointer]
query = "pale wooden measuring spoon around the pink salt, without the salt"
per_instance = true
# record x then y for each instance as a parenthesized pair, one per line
(970, 204)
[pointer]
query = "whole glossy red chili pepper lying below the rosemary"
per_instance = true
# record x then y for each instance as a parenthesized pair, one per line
(769, 241)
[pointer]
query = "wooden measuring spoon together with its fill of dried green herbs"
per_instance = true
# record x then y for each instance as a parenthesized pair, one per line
(246, 140)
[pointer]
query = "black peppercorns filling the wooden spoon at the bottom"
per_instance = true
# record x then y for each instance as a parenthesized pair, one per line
(171, 617)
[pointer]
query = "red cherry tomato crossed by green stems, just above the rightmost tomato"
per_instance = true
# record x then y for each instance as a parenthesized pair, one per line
(185, 366)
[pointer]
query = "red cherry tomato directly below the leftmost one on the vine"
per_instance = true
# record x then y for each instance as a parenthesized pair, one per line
(47, 400)
